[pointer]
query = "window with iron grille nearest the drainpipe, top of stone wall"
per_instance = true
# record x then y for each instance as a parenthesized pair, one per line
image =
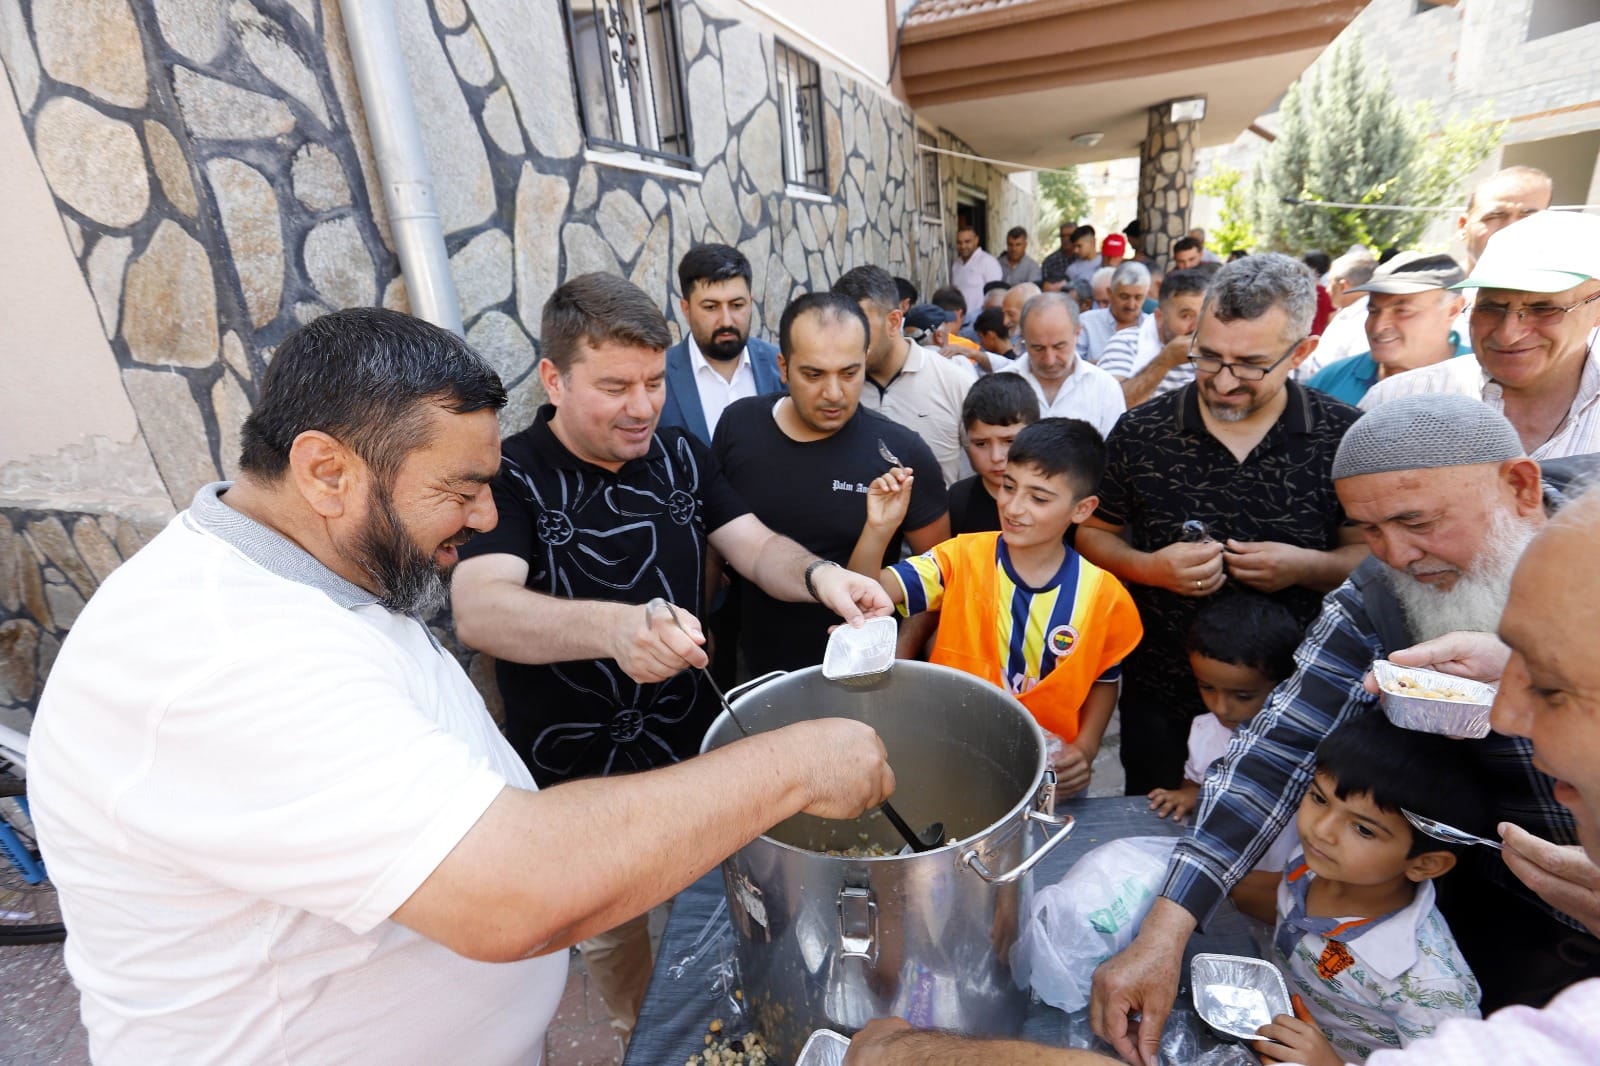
(630, 76)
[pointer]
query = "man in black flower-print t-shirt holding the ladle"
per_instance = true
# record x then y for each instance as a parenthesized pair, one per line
(599, 519)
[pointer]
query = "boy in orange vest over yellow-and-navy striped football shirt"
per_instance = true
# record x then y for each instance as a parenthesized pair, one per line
(1020, 607)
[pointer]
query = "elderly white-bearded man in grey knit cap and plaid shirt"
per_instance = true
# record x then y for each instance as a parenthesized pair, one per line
(1447, 500)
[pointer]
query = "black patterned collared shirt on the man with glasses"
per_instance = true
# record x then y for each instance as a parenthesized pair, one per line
(1166, 468)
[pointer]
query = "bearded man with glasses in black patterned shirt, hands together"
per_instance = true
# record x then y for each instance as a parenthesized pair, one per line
(1223, 481)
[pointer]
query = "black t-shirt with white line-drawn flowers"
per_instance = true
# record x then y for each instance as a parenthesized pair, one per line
(623, 537)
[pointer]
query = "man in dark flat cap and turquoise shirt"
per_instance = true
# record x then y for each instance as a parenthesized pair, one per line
(1410, 318)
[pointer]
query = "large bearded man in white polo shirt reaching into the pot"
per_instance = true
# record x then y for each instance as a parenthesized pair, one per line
(281, 820)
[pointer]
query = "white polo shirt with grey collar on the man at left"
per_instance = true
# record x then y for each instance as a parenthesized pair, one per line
(241, 767)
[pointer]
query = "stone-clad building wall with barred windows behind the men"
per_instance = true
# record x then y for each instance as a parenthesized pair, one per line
(191, 180)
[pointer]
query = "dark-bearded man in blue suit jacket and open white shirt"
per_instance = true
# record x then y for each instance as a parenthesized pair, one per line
(719, 363)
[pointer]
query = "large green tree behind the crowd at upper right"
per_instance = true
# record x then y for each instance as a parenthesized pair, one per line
(1346, 138)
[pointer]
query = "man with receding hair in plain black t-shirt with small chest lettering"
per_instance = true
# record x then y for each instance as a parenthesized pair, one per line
(804, 462)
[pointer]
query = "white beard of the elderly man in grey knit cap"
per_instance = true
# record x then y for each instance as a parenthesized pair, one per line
(1474, 604)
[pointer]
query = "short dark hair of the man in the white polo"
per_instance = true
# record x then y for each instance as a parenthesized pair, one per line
(366, 377)
